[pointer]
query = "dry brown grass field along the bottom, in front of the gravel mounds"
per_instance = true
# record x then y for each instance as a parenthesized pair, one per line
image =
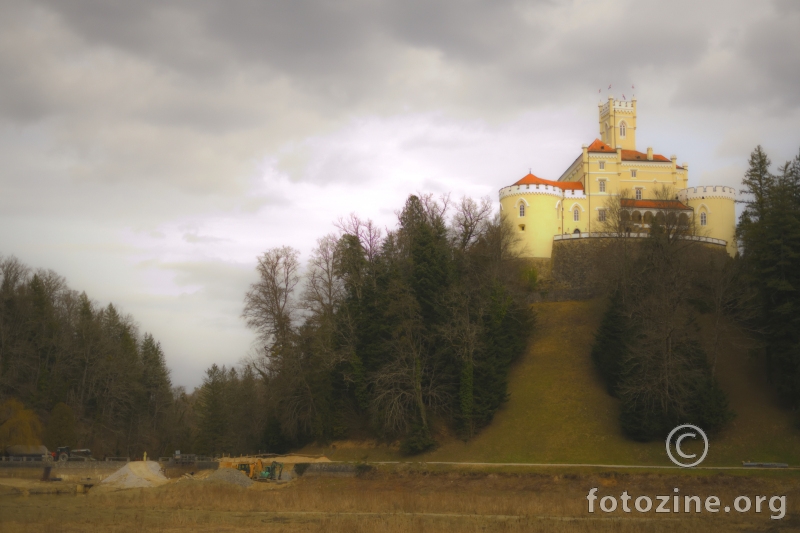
(407, 500)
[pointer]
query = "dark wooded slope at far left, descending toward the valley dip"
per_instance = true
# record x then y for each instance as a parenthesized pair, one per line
(85, 371)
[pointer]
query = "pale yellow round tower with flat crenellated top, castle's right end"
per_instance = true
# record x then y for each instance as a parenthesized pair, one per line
(714, 212)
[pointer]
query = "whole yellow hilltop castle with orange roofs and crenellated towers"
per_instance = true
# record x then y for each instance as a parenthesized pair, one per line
(575, 206)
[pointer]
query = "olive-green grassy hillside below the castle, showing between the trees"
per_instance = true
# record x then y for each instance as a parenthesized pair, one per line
(559, 411)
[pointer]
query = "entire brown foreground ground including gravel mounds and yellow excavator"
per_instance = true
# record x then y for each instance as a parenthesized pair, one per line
(311, 493)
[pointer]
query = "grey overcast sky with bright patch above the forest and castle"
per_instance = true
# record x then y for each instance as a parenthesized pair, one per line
(150, 150)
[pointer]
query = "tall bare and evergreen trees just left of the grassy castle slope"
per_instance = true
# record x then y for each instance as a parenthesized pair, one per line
(386, 335)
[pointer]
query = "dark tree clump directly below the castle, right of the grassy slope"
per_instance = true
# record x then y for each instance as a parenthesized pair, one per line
(647, 347)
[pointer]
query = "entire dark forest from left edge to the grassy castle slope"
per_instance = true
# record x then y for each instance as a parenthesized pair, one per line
(386, 336)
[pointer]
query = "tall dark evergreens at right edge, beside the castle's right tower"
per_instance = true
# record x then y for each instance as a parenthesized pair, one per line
(769, 235)
